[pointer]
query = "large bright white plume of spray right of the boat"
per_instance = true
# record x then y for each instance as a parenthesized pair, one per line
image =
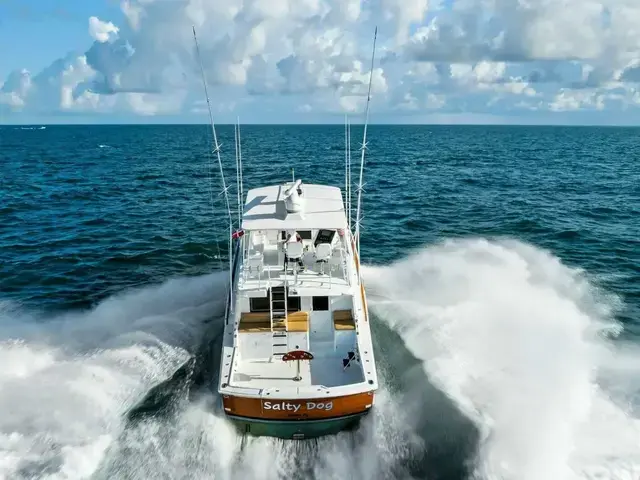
(517, 340)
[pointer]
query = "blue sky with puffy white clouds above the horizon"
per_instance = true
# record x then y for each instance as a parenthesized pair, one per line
(308, 61)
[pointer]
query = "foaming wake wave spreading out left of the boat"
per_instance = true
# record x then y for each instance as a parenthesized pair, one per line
(67, 381)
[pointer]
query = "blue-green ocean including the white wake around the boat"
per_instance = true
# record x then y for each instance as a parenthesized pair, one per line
(502, 265)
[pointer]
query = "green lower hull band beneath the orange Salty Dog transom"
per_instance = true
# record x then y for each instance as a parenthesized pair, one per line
(295, 429)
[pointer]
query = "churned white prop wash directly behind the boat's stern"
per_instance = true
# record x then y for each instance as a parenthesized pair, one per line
(198, 444)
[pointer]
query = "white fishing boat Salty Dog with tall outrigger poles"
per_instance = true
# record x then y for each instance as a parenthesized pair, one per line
(297, 357)
